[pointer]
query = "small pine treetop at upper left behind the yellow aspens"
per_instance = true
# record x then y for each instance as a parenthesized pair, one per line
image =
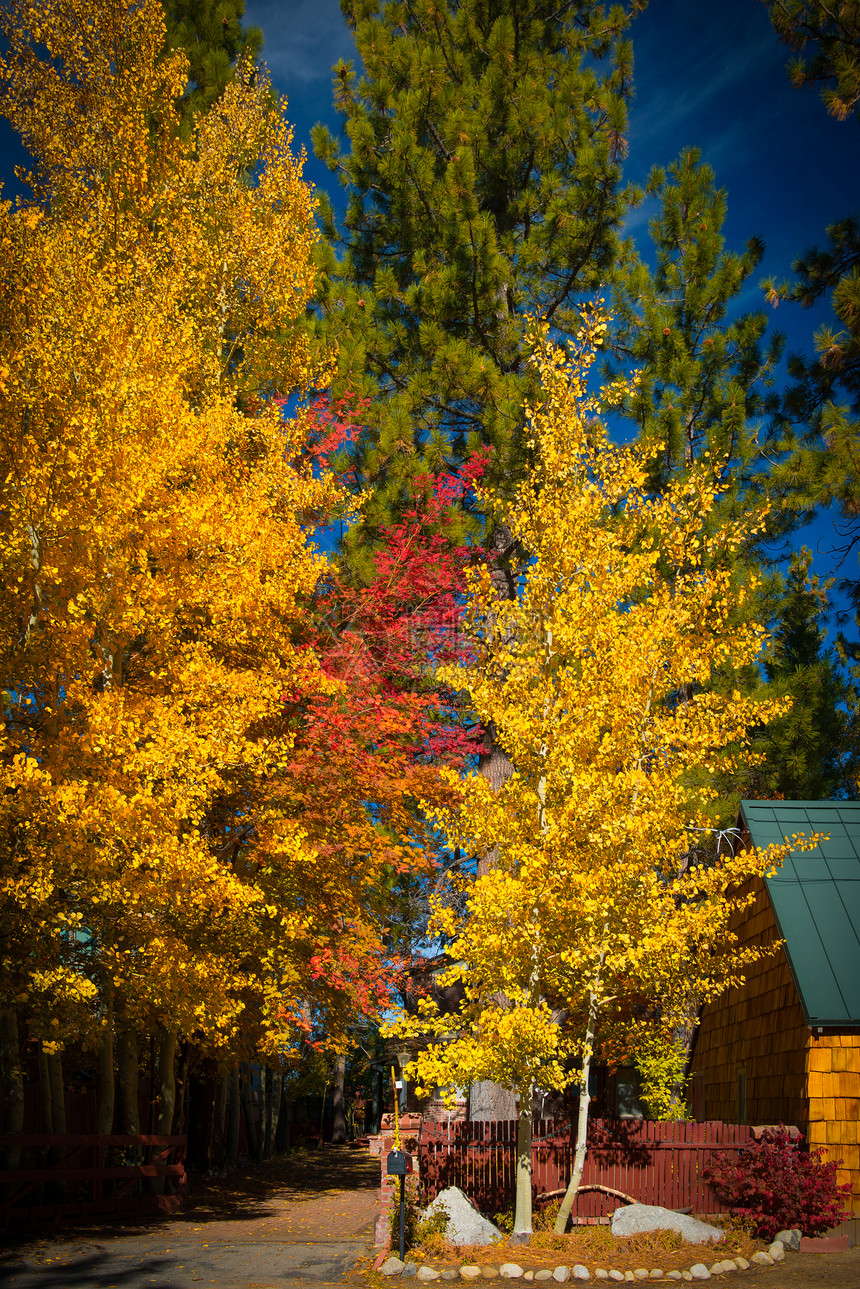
(212, 35)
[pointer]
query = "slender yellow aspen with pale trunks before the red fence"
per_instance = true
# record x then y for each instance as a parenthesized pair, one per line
(590, 934)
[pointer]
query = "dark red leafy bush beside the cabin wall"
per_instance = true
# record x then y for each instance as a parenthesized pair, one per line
(774, 1187)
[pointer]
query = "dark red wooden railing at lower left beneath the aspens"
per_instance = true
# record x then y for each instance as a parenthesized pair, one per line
(88, 1175)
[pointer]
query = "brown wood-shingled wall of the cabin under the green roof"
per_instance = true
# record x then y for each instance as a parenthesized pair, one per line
(755, 1040)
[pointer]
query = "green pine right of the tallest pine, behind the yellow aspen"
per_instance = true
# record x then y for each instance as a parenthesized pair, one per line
(707, 372)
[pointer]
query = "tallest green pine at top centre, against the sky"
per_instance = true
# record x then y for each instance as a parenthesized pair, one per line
(483, 164)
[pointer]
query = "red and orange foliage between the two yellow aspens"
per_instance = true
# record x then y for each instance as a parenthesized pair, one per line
(366, 757)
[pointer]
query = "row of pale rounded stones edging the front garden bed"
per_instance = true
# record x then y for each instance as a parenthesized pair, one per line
(514, 1272)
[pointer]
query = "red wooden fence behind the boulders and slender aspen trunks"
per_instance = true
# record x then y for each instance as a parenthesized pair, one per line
(654, 1163)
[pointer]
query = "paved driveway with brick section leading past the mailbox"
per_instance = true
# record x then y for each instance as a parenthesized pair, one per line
(304, 1220)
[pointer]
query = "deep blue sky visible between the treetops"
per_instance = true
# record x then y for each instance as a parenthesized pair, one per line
(707, 75)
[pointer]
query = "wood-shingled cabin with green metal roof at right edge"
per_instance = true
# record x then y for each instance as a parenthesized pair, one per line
(786, 1046)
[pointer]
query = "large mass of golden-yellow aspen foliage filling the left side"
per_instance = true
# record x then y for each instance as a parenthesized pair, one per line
(155, 559)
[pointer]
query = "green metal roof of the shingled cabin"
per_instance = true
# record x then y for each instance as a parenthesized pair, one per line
(816, 896)
